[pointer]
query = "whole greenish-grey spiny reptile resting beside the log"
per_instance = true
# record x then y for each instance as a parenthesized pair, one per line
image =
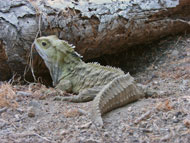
(111, 87)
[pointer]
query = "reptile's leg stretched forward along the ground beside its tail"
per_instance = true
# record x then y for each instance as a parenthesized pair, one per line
(84, 96)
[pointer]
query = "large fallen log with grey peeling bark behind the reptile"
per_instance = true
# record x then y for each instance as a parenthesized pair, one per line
(95, 27)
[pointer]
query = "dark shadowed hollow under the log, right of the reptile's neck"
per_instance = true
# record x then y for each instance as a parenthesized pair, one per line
(140, 58)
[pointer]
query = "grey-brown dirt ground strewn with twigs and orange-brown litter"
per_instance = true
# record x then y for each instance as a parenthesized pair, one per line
(27, 115)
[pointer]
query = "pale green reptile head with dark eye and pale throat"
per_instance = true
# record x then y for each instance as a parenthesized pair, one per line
(57, 55)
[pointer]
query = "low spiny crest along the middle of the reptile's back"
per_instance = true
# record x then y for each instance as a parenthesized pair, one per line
(109, 68)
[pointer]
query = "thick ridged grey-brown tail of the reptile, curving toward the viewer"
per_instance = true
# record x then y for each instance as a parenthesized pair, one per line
(121, 91)
